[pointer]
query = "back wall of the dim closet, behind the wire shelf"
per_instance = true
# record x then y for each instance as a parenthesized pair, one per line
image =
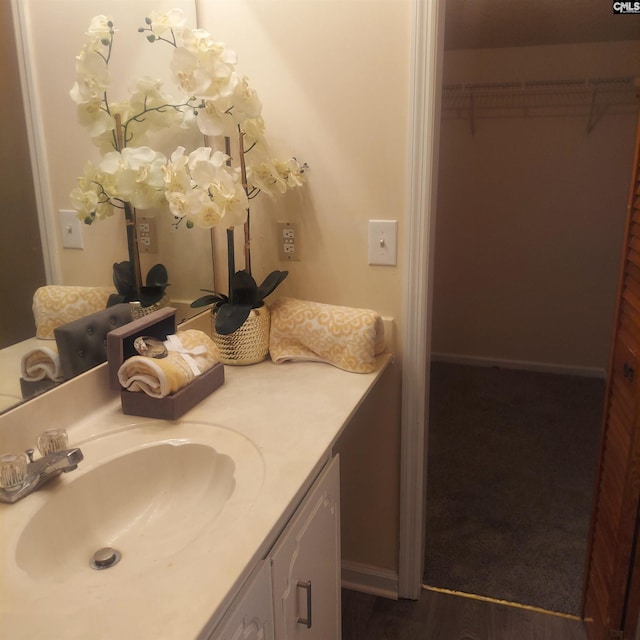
(530, 216)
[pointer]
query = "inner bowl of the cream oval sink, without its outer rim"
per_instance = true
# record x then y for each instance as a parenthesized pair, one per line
(132, 503)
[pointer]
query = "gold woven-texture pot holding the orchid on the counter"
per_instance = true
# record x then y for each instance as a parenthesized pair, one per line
(247, 345)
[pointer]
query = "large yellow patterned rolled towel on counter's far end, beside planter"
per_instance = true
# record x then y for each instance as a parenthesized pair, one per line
(311, 331)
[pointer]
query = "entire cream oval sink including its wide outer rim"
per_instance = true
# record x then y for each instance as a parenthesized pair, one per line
(149, 491)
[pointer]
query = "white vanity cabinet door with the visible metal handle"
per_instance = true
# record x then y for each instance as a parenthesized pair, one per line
(305, 565)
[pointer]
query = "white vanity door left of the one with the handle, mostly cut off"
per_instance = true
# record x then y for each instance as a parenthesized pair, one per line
(250, 617)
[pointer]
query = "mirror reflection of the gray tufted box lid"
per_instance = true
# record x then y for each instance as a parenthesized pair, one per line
(82, 344)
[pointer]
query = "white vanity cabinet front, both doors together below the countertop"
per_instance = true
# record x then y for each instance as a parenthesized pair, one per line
(295, 591)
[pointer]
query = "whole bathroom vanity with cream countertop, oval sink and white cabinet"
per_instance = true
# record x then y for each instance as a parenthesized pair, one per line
(228, 519)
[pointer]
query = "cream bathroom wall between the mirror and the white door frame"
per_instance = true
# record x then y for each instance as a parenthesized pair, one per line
(333, 78)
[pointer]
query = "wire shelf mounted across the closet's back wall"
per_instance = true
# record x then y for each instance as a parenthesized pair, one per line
(590, 97)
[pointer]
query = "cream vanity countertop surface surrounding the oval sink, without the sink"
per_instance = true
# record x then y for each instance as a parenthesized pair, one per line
(292, 413)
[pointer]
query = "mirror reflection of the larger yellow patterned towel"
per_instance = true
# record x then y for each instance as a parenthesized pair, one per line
(55, 305)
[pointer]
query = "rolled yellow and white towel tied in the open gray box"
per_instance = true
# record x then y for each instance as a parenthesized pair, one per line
(192, 354)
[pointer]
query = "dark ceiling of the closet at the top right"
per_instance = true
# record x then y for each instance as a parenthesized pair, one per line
(480, 24)
